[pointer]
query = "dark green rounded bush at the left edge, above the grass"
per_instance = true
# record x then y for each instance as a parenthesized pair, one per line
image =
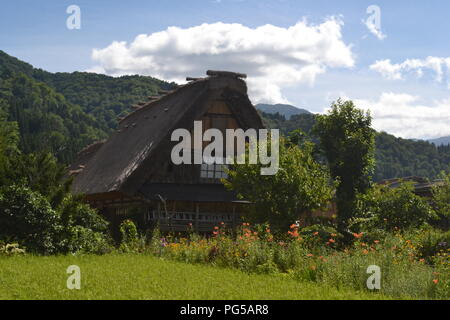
(26, 217)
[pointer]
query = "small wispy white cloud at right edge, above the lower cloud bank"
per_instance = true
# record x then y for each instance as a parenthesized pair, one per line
(397, 71)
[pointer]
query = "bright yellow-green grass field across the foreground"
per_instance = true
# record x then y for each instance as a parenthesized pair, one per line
(131, 276)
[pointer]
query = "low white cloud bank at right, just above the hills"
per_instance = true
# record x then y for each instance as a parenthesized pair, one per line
(405, 116)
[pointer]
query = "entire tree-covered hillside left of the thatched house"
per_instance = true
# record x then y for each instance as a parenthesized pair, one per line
(64, 112)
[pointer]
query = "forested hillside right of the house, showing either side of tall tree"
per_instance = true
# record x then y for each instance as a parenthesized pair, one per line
(395, 157)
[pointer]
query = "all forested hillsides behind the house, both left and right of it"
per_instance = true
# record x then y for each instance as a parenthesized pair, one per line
(64, 112)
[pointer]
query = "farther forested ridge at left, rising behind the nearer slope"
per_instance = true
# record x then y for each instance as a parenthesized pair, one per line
(104, 97)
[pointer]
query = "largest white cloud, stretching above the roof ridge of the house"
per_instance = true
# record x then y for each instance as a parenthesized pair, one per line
(273, 57)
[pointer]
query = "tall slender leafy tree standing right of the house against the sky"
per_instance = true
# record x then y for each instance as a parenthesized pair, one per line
(347, 141)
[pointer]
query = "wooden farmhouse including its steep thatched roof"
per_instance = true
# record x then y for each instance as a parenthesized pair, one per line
(131, 174)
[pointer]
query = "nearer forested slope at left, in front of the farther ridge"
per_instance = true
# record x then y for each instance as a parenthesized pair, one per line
(46, 120)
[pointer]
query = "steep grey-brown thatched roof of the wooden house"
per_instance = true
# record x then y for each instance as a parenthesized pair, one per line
(123, 161)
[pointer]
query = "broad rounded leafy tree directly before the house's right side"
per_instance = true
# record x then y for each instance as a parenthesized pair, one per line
(299, 186)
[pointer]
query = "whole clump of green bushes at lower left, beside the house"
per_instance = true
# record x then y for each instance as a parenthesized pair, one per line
(27, 218)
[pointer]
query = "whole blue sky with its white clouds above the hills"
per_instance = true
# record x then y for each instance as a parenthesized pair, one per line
(406, 95)
